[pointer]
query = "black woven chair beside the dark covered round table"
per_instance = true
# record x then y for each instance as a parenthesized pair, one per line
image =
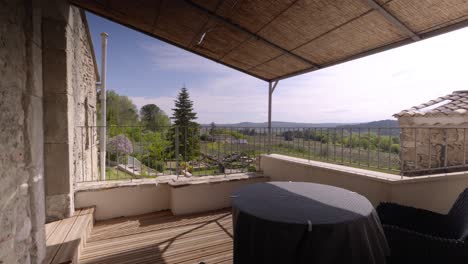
(426, 235)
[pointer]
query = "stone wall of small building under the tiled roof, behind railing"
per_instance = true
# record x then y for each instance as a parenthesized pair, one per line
(427, 147)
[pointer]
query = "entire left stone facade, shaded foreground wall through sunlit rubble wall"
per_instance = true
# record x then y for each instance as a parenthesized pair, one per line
(47, 88)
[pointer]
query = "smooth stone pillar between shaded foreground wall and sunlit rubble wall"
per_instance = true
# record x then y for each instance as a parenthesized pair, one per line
(58, 104)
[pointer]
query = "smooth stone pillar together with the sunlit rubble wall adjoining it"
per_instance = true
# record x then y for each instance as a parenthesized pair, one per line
(69, 105)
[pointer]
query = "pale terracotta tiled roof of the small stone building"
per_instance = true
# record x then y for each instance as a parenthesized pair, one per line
(457, 105)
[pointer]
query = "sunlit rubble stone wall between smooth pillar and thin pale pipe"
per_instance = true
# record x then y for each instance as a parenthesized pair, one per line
(85, 157)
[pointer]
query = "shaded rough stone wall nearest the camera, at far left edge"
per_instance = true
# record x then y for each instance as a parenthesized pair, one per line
(21, 133)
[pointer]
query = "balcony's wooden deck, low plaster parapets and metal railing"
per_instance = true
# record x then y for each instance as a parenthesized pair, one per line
(152, 216)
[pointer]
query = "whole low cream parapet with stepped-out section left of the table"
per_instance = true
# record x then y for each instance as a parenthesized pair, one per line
(182, 196)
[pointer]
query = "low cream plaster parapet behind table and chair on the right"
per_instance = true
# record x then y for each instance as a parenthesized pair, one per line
(435, 192)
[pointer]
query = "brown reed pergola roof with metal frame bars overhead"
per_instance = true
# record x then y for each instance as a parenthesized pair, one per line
(277, 39)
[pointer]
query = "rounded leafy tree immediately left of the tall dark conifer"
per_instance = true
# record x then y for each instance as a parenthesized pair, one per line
(153, 118)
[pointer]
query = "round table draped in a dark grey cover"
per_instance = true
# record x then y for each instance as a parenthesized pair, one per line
(297, 222)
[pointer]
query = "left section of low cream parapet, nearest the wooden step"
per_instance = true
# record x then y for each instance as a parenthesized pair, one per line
(125, 200)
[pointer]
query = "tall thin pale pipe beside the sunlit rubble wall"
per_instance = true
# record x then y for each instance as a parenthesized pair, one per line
(103, 106)
